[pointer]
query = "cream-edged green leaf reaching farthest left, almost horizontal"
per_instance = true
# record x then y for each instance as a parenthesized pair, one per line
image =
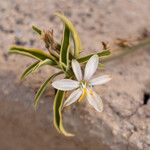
(31, 52)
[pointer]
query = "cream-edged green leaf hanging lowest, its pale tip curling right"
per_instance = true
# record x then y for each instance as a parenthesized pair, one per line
(57, 107)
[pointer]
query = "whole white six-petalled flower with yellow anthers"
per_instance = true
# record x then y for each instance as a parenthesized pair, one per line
(83, 86)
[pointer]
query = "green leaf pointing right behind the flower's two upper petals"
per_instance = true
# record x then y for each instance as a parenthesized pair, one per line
(100, 54)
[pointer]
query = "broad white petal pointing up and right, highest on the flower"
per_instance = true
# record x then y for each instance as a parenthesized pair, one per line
(91, 67)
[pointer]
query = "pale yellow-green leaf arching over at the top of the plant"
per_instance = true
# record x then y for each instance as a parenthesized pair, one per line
(76, 39)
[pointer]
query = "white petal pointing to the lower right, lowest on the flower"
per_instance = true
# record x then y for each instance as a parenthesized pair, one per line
(95, 100)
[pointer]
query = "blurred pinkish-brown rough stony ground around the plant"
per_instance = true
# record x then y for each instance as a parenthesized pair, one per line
(125, 122)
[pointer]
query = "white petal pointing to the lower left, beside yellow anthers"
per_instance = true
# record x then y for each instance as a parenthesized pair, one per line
(74, 96)
